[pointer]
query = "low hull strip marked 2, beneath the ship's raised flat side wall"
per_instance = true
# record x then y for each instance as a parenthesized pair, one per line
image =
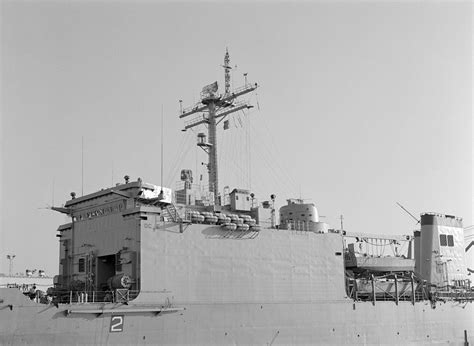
(309, 323)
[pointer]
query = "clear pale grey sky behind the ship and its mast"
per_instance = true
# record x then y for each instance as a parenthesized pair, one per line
(360, 105)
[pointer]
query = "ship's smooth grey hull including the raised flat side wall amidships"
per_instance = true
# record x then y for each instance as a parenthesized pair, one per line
(207, 286)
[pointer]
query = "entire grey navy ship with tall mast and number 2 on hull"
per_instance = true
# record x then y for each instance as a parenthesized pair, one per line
(141, 263)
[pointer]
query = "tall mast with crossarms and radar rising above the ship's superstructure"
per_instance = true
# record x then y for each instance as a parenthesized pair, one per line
(214, 108)
